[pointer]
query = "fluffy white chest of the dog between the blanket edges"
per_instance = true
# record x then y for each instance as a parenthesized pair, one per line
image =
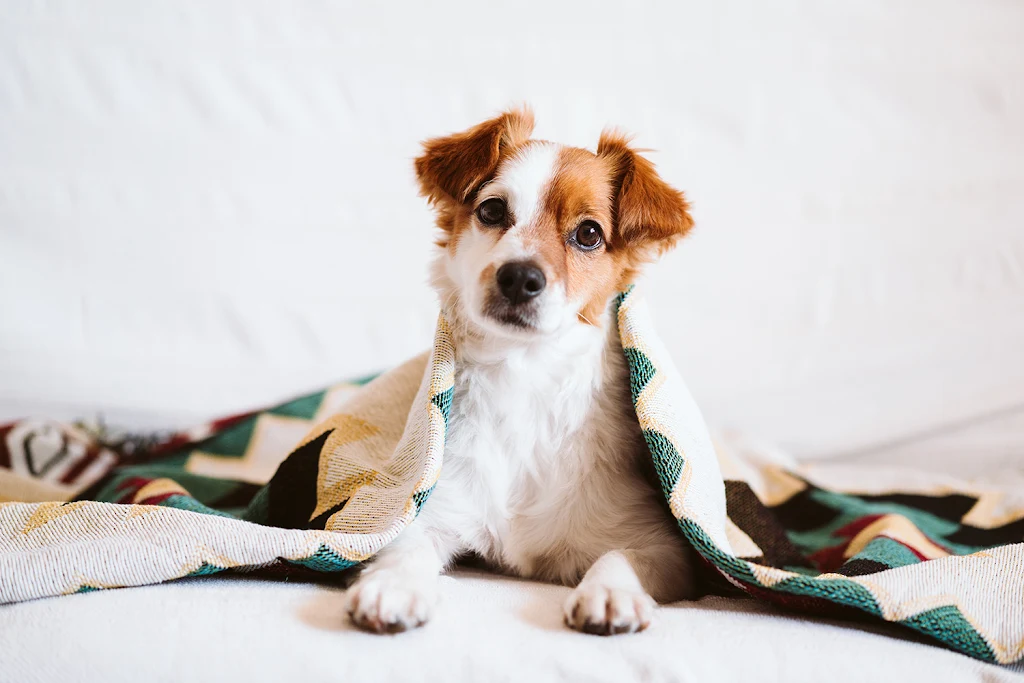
(527, 455)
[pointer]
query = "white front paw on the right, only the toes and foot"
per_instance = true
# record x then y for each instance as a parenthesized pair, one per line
(606, 612)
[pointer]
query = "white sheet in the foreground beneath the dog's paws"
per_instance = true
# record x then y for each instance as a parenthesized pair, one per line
(488, 629)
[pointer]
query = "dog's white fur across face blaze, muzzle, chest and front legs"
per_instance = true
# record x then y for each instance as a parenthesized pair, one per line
(543, 464)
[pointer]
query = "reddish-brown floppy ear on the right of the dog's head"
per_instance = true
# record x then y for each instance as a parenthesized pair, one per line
(649, 212)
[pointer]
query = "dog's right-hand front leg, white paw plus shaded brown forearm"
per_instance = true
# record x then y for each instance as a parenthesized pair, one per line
(615, 595)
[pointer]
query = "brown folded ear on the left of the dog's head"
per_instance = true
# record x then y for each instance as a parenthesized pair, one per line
(452, 168)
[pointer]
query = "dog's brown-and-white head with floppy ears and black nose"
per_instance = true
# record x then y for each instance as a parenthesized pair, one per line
(537, 236)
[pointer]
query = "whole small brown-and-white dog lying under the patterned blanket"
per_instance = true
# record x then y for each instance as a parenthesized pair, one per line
(546, 473)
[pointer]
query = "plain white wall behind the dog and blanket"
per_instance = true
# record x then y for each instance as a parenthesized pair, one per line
(208, 205)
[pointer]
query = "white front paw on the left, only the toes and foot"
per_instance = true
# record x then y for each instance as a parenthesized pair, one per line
(391, 603)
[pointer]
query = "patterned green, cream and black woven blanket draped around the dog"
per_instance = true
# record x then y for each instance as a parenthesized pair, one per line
(943, 560)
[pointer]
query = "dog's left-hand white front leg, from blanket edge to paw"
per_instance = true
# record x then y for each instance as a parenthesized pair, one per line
(399, 590)
